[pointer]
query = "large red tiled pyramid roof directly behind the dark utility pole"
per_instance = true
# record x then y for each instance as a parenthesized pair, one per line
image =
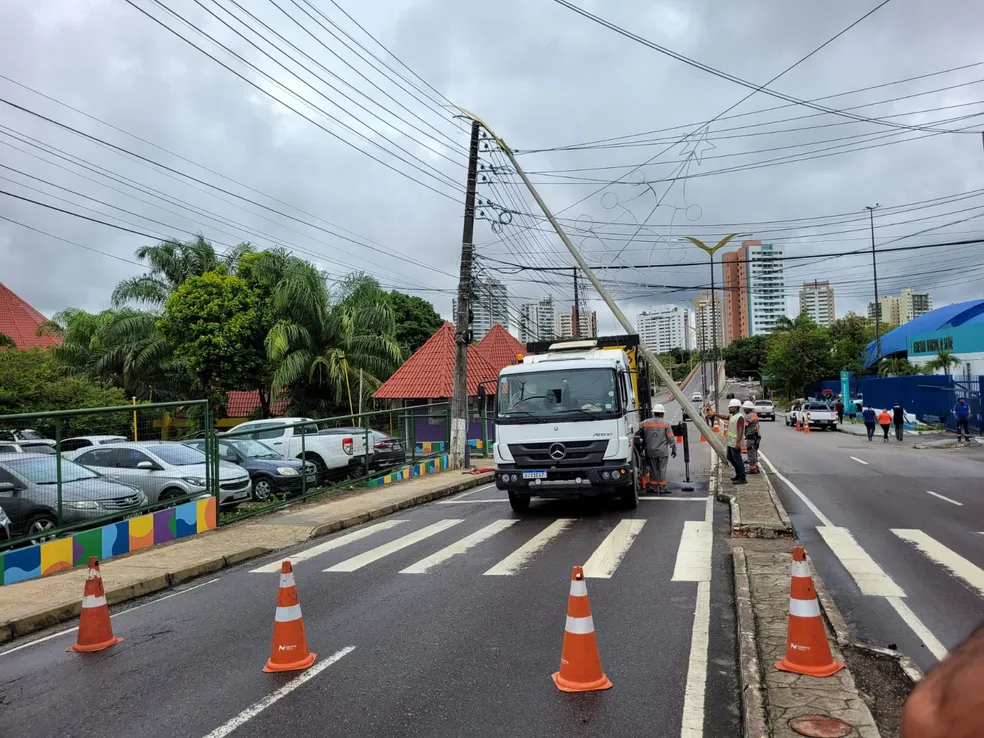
(429, 373)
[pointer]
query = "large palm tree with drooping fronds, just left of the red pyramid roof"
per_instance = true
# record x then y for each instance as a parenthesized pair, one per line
(319, 335)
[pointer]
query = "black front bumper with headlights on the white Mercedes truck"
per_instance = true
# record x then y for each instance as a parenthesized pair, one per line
(609, 478)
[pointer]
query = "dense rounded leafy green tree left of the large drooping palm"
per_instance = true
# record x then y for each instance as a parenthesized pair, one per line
(214, 327)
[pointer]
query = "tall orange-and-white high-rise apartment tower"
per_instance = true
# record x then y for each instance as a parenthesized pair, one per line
(754, 288)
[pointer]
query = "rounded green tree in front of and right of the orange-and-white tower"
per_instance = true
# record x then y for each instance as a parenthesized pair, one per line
(799, 355)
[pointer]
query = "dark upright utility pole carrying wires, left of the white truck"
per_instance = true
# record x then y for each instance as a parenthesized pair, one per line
(462, 327)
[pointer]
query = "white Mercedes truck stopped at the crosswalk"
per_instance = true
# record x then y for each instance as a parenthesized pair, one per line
(566, 420)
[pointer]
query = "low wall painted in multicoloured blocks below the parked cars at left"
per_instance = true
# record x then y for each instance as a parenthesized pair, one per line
(108, 541)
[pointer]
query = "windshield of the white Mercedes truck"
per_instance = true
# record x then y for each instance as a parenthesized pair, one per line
(569, 394)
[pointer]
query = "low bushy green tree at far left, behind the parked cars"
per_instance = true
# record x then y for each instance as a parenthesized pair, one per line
(31, 382)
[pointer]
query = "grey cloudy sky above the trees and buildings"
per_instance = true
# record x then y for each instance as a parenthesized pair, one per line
(316, 137)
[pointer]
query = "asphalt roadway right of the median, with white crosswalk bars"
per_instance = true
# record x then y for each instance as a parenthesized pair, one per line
(897, 534)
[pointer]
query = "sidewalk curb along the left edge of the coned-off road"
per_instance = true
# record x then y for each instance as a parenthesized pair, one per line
(160, 581)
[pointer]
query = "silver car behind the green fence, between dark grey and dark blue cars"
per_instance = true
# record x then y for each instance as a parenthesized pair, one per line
(163, 470)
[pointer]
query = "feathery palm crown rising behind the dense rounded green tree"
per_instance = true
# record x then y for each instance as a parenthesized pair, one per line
(171, 264)
